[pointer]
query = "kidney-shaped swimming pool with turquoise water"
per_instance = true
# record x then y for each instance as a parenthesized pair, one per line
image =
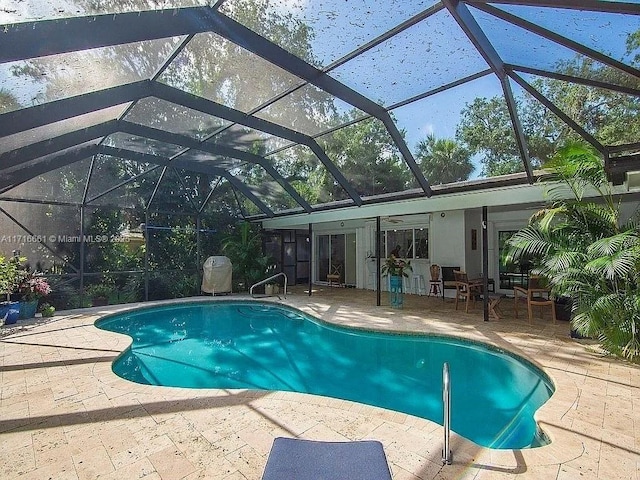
(255, 345)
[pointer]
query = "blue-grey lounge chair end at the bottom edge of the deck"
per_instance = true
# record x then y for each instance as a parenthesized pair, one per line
(297, 459)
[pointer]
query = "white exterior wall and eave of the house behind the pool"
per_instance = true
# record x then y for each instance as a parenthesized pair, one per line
(450, 220)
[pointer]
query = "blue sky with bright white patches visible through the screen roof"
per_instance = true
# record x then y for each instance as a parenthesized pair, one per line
(429, 54)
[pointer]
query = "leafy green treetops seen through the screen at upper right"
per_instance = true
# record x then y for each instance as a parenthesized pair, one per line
(609, 116)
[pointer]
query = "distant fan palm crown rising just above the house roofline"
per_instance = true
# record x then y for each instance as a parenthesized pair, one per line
(443, 160)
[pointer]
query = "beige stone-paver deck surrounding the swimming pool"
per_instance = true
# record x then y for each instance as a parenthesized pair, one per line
(66, 414)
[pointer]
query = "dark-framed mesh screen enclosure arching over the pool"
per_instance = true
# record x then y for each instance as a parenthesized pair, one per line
(169, 120)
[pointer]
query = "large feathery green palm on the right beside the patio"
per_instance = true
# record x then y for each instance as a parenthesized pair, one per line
(586, 251)
